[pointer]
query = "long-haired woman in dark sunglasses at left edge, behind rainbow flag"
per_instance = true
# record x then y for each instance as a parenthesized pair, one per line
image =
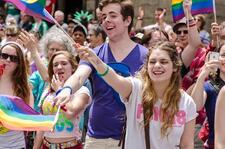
(14, 82)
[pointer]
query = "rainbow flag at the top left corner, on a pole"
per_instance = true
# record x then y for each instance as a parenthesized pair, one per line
(35, 8)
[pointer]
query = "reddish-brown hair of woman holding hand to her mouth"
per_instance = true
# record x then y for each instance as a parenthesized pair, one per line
(70, 58)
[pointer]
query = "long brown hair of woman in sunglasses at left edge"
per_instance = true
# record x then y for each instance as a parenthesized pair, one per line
(20, 75)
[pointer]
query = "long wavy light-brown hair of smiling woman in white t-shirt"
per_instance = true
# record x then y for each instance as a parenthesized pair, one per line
(172, 94)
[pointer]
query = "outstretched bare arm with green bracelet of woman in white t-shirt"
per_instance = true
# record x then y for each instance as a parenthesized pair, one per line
(121, 84)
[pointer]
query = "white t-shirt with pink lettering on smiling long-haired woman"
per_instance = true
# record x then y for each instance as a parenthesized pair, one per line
(135, 136)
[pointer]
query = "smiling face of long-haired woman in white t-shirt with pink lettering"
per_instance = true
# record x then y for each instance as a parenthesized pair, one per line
(160, 66)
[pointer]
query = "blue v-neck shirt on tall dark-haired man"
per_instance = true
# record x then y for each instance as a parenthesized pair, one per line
(107, 113)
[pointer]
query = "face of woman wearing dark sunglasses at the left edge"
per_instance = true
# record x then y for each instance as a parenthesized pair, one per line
(9, 58)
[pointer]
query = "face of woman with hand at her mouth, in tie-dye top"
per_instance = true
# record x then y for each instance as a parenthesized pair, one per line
(62, 67)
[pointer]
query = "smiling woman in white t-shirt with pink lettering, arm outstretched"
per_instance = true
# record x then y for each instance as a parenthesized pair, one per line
(153, 98)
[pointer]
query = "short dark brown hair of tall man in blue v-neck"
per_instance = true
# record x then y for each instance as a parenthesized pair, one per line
(127, 9)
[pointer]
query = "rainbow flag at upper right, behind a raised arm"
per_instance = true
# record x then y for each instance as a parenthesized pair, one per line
(198, 7)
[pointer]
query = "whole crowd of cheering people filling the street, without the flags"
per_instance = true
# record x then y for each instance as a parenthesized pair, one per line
(119, 84)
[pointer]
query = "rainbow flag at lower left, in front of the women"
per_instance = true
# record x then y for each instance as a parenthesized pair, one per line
(15, 114)
